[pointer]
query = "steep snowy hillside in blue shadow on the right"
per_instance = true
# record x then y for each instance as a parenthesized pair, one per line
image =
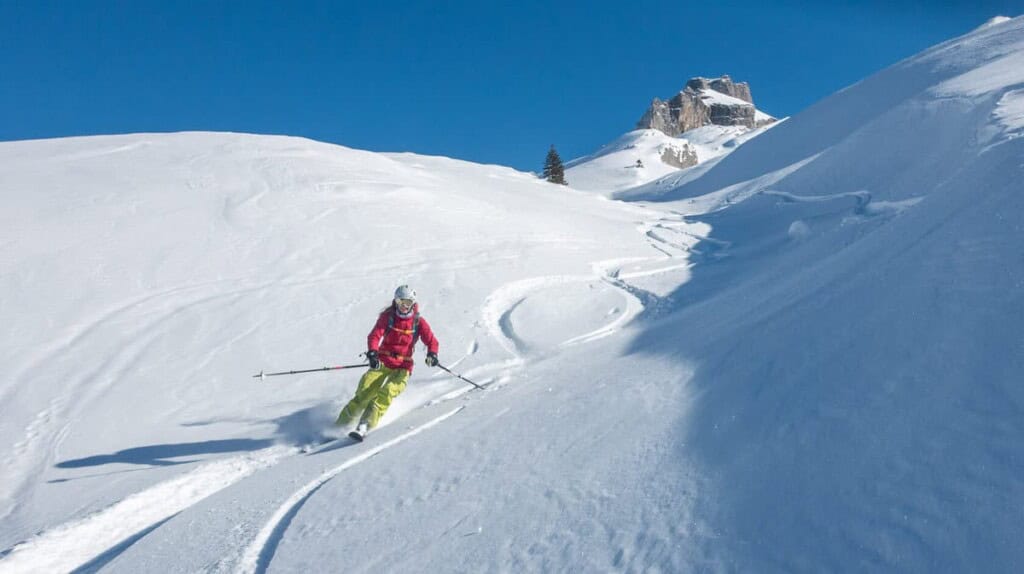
(859, 325)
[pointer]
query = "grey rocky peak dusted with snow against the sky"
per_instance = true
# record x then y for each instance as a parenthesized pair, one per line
(690, 110)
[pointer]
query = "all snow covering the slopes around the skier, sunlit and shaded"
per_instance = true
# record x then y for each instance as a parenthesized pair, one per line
(803, 356)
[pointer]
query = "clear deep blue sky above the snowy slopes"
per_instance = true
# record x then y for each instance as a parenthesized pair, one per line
(483, 81)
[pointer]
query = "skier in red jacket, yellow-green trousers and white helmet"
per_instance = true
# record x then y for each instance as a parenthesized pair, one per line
(391, 347)
